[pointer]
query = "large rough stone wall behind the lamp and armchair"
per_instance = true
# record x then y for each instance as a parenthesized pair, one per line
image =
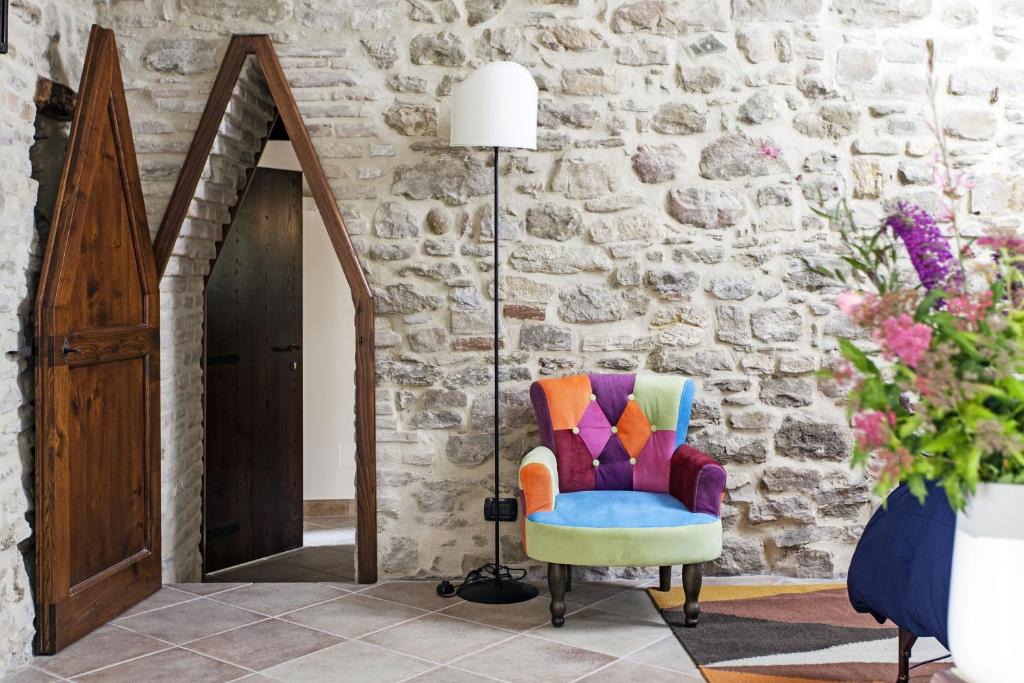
(660, 227)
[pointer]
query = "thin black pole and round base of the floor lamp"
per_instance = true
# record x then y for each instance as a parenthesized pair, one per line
(494, 583)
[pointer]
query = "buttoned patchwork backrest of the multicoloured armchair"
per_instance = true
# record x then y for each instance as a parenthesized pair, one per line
(613, 432)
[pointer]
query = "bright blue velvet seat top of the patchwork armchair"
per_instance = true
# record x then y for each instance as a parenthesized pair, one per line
(620, 509)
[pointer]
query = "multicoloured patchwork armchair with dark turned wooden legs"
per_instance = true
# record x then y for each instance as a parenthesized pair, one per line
(616, 486)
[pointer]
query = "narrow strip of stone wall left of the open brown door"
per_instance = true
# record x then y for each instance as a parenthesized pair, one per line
(49, 40)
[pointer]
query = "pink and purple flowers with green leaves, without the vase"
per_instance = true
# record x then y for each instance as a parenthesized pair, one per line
(938, 393)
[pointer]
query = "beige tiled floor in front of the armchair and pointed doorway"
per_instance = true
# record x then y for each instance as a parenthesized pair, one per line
(397, 631)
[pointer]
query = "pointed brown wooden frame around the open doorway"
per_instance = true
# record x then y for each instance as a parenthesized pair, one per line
(239, 50)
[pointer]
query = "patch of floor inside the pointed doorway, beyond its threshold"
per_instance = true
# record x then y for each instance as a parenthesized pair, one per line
(328, 554)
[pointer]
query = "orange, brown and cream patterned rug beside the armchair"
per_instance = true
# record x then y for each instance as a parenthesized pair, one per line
(795, 633)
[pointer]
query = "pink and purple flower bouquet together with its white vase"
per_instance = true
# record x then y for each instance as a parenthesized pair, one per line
(937, 394)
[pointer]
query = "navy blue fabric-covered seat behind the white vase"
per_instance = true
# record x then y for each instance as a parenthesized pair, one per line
(901, 570)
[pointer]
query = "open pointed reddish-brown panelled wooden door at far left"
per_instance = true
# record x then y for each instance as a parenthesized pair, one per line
(98, 393)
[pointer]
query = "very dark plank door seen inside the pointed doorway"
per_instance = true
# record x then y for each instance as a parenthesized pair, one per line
(254, 378)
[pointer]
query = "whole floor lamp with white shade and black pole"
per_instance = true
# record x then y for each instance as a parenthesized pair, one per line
(495, 108)
